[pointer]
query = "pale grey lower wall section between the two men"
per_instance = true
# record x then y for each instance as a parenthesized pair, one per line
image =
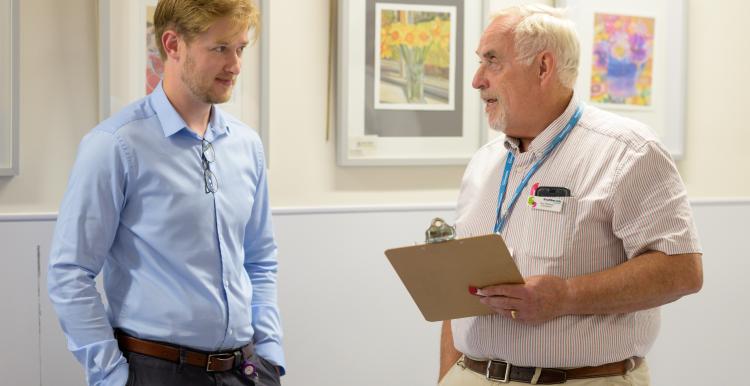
(347, 317)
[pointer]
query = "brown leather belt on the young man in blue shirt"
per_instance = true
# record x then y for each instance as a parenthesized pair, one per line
(218, 361)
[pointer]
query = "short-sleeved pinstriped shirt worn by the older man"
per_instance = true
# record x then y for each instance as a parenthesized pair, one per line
(627, 198)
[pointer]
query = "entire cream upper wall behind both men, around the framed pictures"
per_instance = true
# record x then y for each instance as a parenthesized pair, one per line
(58, 81)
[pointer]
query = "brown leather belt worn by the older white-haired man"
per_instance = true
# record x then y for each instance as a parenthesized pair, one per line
(500, 371)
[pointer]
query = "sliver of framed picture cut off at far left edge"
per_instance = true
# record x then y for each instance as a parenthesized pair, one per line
(8, 87)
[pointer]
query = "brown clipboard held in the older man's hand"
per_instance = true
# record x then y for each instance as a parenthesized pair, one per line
(438, 275)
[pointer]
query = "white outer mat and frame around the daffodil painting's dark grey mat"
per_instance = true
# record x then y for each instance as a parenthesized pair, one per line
(351, 100)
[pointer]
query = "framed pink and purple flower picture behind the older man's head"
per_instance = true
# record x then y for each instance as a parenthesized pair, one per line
(633, 61)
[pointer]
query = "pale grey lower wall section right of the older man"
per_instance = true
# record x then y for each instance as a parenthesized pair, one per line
(704, 337)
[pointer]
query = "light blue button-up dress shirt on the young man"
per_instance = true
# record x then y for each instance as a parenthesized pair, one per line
(182, 266)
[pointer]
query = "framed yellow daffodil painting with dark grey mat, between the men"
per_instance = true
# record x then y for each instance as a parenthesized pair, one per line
(404, 82)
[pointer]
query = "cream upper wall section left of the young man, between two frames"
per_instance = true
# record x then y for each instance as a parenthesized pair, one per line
(58, 99)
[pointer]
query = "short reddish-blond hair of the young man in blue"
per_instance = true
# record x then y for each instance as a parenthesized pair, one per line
(189, 18)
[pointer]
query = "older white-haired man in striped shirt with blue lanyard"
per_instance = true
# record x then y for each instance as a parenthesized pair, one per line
(593, 208)
